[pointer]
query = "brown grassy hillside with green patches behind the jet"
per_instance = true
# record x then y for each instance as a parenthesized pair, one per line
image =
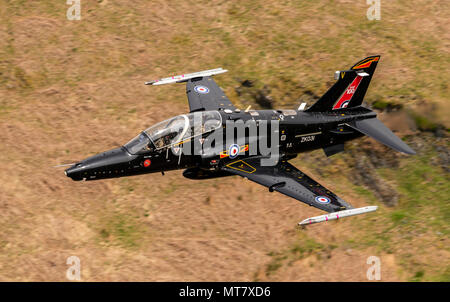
(70, 89)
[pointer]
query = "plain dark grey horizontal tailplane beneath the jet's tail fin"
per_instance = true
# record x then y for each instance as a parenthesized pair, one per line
(377, 130)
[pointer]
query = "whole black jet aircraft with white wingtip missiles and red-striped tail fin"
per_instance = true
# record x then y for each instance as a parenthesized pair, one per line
(337, 117)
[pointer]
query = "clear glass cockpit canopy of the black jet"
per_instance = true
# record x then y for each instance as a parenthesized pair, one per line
(174, 131)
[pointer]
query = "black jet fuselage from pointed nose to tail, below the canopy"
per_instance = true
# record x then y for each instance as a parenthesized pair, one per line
(299, 132)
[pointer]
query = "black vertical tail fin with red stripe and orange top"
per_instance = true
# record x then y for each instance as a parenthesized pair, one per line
(350, 88)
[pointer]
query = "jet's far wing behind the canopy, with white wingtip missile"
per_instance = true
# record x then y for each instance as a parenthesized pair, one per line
(202, 91)
